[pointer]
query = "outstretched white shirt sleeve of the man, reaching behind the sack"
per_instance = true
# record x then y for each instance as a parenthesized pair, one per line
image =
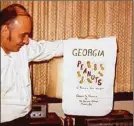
(44, 50)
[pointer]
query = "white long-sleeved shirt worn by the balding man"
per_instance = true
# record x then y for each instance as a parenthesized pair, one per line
(15, 76)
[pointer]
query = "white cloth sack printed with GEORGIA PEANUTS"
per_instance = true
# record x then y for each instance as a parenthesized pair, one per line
(89, 72)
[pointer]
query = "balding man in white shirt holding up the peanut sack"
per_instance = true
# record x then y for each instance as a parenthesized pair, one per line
(17, 50)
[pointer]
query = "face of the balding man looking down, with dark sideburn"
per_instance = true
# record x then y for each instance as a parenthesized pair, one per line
(17, 34)
